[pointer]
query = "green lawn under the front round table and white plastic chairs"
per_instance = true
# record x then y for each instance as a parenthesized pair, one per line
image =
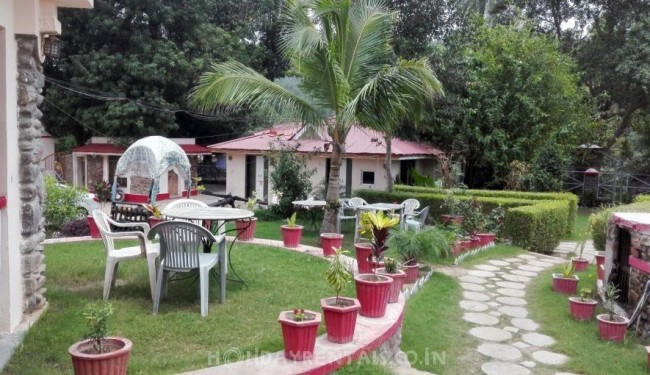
(178, 338)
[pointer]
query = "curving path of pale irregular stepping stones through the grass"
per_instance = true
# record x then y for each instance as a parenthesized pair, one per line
(494, 303)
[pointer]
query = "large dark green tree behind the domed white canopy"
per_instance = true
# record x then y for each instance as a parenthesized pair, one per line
(127, 66)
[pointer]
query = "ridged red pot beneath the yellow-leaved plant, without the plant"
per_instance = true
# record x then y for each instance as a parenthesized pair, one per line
(372, 292)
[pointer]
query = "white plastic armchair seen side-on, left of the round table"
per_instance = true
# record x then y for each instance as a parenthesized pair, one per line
(114, 255)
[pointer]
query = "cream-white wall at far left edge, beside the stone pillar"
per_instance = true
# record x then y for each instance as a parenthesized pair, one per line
(11, 294)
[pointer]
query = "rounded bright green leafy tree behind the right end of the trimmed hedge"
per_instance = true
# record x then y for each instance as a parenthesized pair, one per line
(508, 92)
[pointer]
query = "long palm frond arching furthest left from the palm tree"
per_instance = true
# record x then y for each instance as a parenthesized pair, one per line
(233, 84)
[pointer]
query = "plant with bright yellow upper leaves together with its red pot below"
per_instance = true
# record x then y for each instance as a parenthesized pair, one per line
(373, 289)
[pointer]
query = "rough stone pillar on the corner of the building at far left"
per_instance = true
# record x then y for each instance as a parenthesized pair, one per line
(30, 83)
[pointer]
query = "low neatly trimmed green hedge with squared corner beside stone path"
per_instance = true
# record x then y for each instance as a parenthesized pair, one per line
(535, 221)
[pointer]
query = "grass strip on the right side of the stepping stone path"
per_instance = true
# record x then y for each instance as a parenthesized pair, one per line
(579, 340)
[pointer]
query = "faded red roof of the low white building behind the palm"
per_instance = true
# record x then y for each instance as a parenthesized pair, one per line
(360, 142)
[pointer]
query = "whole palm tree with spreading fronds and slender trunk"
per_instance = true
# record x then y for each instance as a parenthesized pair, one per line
(341, 50)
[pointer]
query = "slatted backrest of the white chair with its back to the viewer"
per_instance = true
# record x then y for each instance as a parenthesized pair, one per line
(180, 244)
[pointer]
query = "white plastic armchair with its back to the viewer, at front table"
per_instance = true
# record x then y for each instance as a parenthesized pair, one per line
(182, 247)
